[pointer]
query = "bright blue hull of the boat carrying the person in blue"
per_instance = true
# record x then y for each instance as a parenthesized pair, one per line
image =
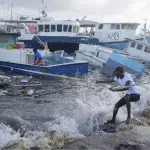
(49, 72)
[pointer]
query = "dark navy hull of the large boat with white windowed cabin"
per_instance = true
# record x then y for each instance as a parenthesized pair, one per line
(68, 44)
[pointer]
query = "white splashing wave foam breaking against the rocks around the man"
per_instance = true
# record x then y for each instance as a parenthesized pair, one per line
(93, 102)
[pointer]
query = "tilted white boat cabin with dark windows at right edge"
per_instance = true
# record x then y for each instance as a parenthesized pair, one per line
(139, 49)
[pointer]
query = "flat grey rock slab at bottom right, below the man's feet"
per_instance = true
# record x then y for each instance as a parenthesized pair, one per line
(137, 138)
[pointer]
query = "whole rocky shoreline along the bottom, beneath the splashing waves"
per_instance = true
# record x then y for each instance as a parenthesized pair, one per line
(135, 136)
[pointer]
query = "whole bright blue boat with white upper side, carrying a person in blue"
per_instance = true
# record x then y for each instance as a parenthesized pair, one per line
(56, 66)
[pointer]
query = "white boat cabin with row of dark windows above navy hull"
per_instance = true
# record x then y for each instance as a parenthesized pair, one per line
(58, 28)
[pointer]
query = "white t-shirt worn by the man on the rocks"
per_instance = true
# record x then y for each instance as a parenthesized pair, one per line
(122, 82)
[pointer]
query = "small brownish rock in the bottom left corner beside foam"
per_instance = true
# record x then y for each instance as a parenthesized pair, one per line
(17, 145)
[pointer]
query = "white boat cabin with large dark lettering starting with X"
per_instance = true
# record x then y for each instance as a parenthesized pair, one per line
(115, 32)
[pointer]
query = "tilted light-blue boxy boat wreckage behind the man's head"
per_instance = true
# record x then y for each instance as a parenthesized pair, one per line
(130, 66)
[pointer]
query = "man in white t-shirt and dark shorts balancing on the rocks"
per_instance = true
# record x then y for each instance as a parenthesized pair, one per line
(132, 94)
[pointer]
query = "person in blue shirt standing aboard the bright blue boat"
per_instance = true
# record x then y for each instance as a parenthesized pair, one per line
(38, 58)
